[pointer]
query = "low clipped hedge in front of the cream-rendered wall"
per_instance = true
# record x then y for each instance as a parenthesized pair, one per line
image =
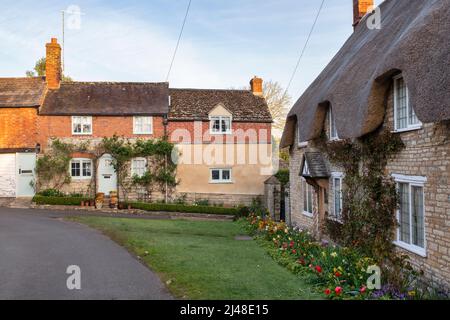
(183, 208)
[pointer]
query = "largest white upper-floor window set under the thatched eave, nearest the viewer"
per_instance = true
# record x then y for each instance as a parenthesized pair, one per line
(404, 116)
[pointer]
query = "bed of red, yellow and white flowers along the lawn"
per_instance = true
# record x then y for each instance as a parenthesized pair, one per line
(340, 273)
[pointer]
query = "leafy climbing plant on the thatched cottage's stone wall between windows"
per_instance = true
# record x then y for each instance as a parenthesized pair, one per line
(370, 199)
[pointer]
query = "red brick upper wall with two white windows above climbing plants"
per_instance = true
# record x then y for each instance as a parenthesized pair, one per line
(103, 126)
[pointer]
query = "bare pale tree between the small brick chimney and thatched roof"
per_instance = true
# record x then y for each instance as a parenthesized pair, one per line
(278, 101)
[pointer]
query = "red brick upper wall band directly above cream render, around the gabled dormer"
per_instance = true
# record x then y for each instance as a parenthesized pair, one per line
(261, 132)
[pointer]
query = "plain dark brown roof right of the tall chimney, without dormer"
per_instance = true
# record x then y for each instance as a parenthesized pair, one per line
(107, 98)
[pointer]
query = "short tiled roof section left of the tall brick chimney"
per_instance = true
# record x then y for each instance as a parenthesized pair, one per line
(21, 92)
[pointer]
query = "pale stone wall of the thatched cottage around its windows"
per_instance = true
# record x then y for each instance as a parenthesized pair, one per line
(427, 154)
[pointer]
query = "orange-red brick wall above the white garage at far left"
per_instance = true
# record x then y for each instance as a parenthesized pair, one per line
(18, 127)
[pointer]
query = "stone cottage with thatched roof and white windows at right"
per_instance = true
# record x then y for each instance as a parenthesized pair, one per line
(394, 79)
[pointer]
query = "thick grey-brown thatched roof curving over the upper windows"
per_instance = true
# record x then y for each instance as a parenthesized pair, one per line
(414, 39)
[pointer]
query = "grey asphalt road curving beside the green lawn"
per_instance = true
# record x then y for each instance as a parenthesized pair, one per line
(36, 248)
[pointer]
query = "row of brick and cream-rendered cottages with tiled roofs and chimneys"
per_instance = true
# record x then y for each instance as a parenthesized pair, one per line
(36, 111)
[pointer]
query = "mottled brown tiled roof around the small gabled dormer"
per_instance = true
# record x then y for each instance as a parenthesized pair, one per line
(195, 104)
